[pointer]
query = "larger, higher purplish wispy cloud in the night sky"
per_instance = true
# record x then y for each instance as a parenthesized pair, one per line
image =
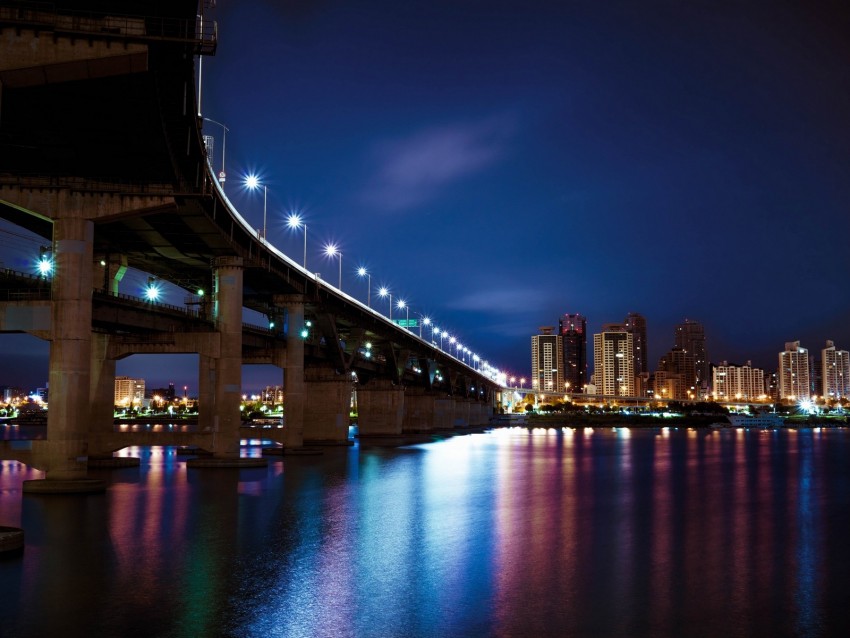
(416, 169)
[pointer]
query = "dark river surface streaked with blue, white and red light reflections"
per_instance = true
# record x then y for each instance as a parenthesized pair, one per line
(603, 532)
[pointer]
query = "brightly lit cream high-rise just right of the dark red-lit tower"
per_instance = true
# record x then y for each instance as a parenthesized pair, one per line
(613, 361)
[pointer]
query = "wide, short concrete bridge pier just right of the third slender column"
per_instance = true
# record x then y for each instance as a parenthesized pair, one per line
(327, 405)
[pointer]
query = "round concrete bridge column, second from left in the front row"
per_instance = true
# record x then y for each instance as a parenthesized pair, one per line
(227, 384)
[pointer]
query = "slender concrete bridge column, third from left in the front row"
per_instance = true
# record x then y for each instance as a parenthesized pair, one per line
(293, 372)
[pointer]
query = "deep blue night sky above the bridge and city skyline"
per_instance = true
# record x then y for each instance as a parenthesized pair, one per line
(498, 164)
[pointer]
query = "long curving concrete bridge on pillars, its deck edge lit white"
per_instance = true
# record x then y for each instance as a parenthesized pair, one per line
(102, 155)
